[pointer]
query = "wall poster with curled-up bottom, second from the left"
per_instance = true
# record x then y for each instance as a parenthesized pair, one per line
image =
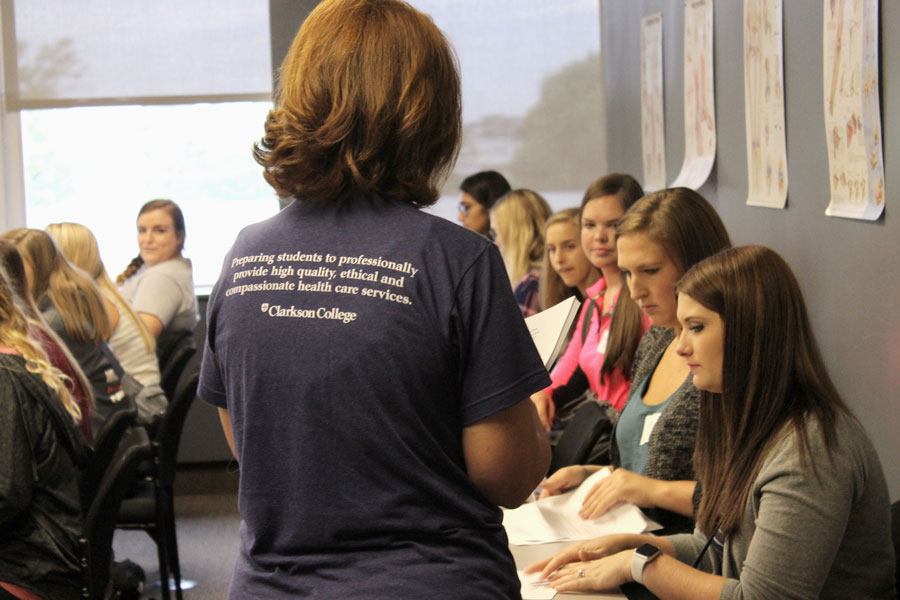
(699, 95)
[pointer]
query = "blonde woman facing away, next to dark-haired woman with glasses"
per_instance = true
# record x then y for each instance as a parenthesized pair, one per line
(517, 226)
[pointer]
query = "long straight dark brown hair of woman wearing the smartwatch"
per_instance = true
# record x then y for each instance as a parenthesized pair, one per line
(773, 377)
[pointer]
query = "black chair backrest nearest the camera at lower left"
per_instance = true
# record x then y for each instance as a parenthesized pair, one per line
(100, 519)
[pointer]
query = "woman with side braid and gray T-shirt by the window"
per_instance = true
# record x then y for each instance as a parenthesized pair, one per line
(159, 283)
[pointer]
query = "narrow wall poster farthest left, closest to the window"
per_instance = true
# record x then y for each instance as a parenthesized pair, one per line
(653, 127)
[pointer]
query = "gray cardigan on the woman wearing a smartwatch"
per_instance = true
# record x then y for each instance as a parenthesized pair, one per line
(809, 533)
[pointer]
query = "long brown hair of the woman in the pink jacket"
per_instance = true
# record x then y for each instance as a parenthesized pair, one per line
(625, 325)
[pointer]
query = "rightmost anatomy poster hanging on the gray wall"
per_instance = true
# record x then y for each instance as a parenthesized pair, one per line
(852, 111)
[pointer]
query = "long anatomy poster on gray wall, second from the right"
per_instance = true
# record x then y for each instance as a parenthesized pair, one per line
(764, 103)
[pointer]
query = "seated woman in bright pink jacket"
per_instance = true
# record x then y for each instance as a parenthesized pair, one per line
(600, 358)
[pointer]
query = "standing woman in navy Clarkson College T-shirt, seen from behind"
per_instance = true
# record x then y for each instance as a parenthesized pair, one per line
(378, 407)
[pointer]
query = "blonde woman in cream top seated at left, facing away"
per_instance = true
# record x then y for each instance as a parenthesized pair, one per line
(131, 340)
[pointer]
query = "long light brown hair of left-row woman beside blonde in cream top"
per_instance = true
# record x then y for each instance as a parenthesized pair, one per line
(71, 291)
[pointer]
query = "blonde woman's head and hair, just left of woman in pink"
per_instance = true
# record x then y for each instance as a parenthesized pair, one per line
(566, 270)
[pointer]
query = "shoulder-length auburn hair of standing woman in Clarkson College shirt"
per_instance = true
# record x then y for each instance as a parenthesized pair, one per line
(368, 103)
